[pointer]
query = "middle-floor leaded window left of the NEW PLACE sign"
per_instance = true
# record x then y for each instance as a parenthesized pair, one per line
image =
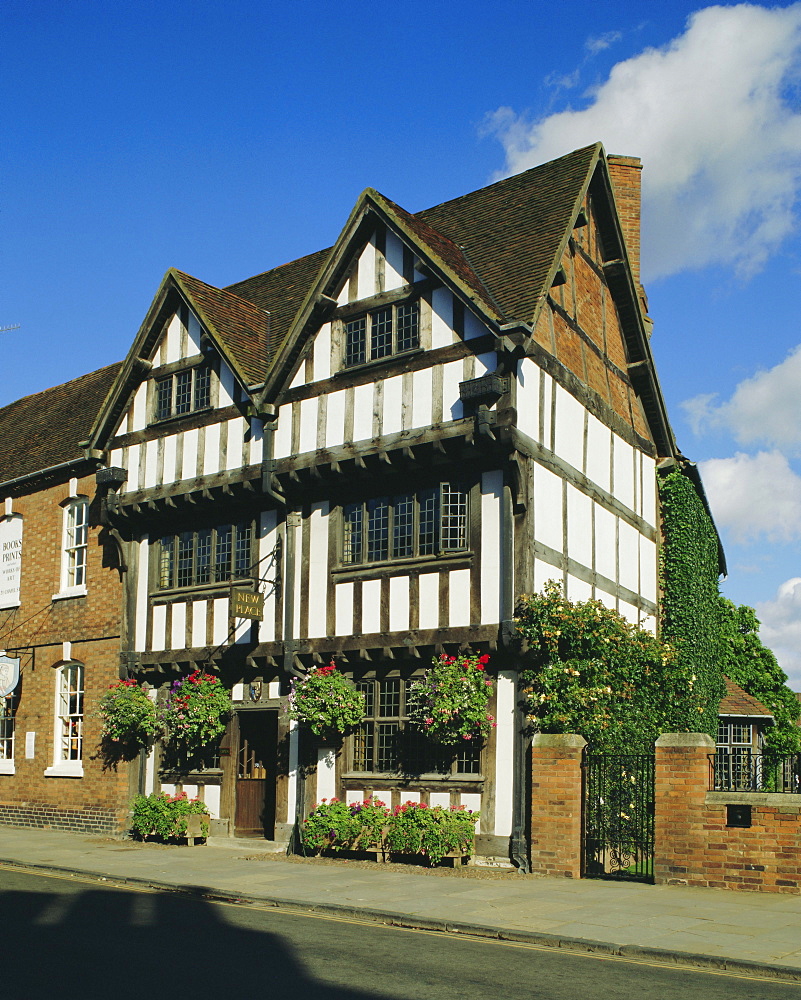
(207, 555)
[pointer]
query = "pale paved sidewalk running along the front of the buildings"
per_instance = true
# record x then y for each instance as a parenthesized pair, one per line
(760, 932)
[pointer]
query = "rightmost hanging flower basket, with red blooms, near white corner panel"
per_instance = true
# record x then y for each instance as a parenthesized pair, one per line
(449, 703)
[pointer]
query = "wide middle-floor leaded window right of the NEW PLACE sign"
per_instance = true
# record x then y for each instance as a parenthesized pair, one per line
(425, 523)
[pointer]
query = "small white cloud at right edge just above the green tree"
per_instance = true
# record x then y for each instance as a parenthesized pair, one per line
(754, 496)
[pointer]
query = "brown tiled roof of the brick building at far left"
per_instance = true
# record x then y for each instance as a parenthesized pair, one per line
(43, 430)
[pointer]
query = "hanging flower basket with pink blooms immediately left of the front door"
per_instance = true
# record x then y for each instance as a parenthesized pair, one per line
(195, 711)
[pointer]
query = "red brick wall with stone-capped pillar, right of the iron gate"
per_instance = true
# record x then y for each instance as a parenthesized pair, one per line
(694, 845)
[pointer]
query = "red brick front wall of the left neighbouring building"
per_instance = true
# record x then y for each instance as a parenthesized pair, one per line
(35, 632)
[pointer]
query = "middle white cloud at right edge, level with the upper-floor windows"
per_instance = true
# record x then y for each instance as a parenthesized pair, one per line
(765, 408)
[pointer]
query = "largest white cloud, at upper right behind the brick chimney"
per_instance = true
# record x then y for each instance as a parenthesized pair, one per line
(713, 116)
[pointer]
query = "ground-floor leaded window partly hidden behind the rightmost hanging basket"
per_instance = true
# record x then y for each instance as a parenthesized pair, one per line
(386, 744)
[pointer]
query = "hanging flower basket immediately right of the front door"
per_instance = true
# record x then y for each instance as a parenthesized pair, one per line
(326, 701)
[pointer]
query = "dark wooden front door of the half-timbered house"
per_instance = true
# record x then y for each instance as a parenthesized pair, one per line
(255, 774)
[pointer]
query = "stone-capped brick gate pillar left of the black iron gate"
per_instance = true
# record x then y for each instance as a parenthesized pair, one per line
(556, 804)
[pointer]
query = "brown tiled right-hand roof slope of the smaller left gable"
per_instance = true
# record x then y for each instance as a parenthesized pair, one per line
(242, 327)
